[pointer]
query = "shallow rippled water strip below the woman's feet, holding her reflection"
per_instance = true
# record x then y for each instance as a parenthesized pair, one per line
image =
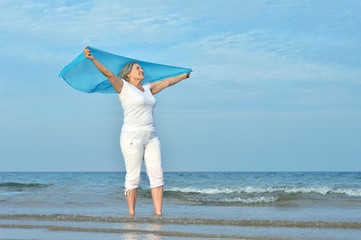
(60, 227)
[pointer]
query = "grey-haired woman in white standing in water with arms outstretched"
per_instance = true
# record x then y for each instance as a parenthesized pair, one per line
(138, 139)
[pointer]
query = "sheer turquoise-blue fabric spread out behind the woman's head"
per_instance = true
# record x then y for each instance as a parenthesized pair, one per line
(83, 75)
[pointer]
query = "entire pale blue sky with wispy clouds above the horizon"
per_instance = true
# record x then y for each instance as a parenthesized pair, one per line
(276, 85)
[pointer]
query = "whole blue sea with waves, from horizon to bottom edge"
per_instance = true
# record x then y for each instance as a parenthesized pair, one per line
(197, 205)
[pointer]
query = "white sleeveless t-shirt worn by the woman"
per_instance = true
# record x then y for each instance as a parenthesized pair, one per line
(138, 108)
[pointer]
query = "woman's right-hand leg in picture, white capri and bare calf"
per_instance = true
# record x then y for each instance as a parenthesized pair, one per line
(152, 159)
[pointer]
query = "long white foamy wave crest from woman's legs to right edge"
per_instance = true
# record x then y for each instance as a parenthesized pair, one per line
(265, 190)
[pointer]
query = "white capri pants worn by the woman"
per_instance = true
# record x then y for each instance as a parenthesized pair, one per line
(137, 146)
